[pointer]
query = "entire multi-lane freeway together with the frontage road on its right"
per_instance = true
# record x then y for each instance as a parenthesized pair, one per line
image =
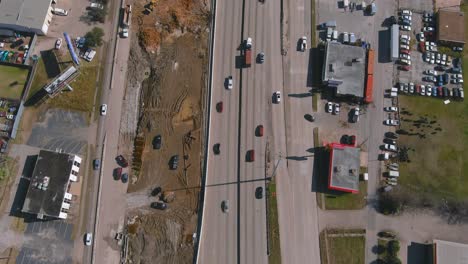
(240, 236)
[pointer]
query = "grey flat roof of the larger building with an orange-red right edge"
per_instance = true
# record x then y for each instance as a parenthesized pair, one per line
(345, 68)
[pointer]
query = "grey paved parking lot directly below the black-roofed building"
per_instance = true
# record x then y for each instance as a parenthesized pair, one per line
(46, 242)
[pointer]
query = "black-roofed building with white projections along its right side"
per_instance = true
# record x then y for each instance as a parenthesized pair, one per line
(48, 194)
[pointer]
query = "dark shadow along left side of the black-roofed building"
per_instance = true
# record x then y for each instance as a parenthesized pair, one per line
(23, 186)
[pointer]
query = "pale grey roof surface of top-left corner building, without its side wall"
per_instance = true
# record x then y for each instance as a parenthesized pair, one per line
(27, 13)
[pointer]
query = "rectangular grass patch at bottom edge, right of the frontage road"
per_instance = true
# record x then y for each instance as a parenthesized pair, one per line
(341, 248)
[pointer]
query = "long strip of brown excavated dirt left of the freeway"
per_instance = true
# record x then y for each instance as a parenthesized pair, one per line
(166, 81)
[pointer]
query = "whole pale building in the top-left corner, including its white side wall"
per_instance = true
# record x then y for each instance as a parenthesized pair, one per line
(26, 15)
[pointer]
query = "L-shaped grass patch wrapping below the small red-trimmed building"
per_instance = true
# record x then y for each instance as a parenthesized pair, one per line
(347, 201)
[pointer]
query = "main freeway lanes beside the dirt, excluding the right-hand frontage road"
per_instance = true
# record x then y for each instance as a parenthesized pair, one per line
(239, 236)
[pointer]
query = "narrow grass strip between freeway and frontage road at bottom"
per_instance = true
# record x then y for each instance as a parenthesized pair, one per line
(274, 235)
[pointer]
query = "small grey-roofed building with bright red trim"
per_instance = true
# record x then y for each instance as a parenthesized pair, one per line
(344, 168)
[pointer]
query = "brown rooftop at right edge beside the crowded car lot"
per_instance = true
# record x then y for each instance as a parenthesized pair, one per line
(451, 26)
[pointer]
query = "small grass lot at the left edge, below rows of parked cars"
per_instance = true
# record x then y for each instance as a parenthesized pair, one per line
(12, 81)
